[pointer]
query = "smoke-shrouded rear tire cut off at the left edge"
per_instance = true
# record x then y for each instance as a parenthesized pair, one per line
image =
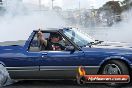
(3, 75)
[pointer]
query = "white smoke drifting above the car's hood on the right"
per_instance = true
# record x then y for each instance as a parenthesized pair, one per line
(121, 31)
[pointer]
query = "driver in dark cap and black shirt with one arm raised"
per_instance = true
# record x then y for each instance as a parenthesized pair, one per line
(50, 44)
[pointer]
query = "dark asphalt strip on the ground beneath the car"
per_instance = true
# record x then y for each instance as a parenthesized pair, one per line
(57, 84)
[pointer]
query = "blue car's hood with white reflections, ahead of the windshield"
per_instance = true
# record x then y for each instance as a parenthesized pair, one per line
(110, 47)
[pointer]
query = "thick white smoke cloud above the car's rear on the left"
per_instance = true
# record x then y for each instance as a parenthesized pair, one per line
(20, 19)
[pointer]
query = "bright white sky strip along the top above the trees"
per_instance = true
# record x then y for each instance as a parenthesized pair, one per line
(71, 4)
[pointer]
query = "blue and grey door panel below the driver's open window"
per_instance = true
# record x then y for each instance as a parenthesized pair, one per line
(60, 64)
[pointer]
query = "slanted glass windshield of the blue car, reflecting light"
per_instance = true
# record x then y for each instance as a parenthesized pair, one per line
(78, 37)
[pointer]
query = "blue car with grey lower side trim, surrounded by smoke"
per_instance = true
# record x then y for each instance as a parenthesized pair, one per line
(28, 61)
